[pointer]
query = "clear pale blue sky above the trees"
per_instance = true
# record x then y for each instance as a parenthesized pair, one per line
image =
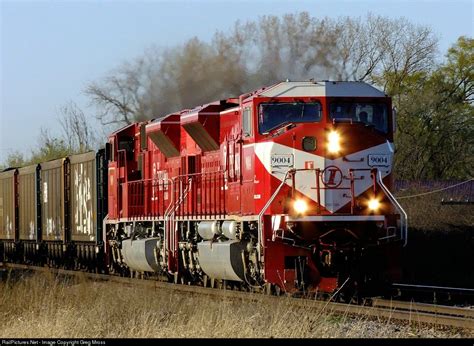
(50, 50)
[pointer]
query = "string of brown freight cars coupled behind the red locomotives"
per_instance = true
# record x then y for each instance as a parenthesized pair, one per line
(52, 213)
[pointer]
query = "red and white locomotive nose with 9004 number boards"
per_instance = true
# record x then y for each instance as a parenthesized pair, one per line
(331, 176)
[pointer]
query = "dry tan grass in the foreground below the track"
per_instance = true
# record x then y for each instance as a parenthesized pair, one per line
(43, 306)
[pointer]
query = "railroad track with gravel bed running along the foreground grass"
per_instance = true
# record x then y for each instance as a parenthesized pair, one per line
(411, 312)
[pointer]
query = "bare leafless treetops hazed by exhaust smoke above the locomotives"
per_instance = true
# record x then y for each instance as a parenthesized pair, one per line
(258, 53)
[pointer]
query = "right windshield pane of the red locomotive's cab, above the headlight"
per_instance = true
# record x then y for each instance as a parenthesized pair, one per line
(372, 114)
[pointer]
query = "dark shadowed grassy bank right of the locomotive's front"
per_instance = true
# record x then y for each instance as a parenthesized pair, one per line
(440, 247)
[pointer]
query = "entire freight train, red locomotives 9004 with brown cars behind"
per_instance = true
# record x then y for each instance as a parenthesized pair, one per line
(284, 188)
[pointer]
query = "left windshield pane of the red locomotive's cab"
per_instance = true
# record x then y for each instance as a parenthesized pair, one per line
(273, 115)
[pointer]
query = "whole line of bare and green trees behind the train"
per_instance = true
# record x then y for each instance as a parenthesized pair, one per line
(433, 94)
